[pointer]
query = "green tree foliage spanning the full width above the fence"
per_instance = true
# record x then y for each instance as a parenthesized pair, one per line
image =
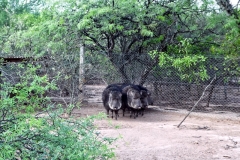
(122, 30)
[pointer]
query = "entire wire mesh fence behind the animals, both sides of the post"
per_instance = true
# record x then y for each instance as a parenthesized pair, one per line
(168, 88)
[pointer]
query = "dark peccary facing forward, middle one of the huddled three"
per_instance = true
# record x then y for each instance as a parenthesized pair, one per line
(131, 99)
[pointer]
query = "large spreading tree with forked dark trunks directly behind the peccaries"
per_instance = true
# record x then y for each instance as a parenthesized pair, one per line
(135, 27)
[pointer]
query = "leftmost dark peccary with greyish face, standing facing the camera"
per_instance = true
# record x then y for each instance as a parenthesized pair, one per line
(112, 99)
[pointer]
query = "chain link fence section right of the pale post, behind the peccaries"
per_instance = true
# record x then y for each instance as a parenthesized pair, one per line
(168, 88)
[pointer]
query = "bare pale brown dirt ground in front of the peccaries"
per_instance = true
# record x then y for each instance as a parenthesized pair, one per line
(155, 136)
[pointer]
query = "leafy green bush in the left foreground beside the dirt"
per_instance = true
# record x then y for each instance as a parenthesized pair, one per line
(25, 134)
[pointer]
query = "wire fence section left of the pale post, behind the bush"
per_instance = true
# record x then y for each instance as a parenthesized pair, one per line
(63, 71)
